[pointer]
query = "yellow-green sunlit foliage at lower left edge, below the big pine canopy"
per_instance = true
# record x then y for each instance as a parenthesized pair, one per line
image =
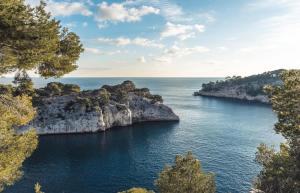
(14, 149)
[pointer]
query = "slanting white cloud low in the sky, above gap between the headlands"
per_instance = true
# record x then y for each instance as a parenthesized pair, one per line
(176, 52)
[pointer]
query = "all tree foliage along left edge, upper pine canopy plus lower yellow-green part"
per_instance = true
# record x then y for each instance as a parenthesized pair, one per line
(30, 39)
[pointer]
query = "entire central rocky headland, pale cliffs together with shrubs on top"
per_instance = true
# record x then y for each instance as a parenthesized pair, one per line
(95, 110)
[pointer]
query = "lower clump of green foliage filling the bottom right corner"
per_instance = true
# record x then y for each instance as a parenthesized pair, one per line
(279, 170)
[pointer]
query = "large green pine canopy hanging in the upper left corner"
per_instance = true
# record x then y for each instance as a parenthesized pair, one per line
(30, 39)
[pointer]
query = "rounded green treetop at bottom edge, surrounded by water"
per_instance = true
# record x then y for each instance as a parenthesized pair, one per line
(185, 176)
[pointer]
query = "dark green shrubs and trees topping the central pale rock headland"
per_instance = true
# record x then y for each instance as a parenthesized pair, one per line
(91, 99)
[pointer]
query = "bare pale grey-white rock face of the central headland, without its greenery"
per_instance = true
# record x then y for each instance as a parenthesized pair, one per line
(54, 117)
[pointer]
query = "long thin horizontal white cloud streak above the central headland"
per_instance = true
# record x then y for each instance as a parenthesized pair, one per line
(121, 41)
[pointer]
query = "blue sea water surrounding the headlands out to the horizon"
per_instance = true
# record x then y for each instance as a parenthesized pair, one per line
(223, 134)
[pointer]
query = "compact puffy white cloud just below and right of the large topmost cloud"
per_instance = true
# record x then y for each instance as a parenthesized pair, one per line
(181, 31)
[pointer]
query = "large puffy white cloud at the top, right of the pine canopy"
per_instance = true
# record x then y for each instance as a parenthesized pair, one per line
(118, 12)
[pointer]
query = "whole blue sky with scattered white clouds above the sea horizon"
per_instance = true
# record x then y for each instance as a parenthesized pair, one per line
(176, 38)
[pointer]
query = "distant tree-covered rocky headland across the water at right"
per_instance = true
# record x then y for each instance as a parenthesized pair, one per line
(250, 88)
